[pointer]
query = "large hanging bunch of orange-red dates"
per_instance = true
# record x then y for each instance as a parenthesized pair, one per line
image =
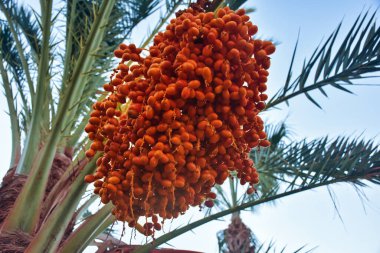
(181, 119)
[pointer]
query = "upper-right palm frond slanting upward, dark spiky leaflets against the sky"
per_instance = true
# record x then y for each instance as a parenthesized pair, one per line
(356, 59)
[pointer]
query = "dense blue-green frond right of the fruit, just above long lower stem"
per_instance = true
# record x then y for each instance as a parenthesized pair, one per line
(320, 160)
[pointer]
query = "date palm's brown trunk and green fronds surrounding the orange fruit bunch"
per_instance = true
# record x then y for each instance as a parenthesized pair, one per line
(52, 65)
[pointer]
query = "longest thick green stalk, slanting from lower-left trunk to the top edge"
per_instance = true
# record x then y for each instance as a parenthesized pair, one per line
(32, 194)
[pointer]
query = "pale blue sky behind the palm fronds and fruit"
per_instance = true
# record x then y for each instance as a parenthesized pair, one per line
(308, 218)
